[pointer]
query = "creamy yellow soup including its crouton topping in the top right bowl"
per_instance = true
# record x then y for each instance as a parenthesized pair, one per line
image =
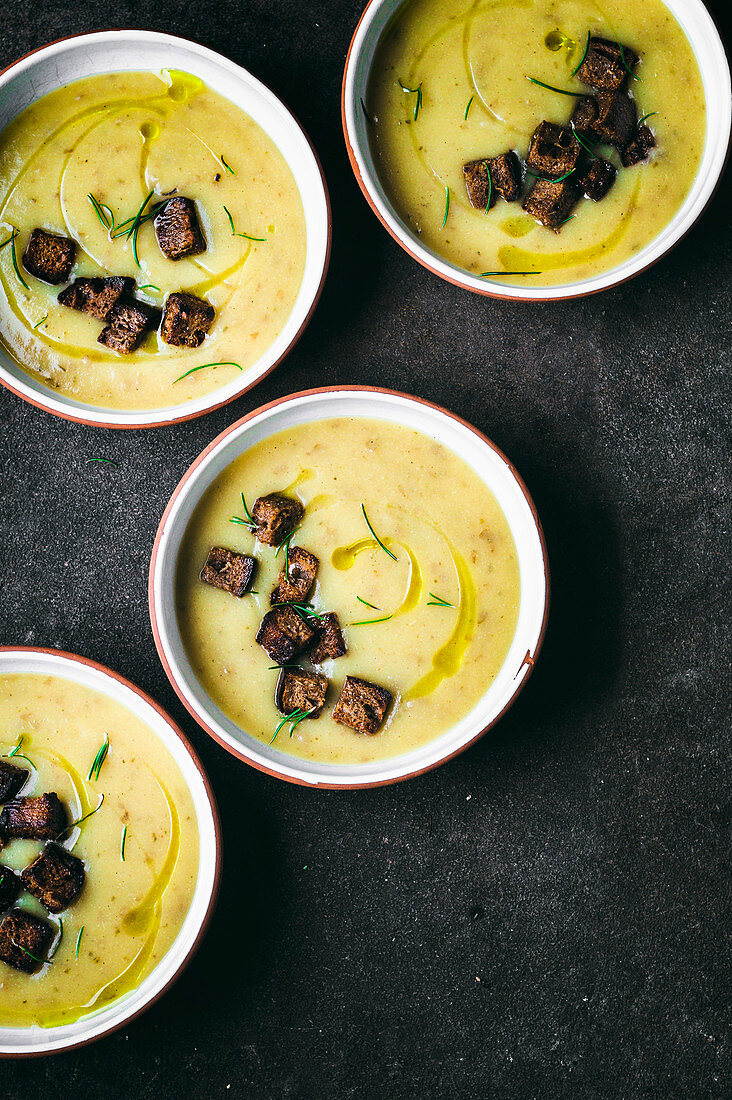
(500, 174)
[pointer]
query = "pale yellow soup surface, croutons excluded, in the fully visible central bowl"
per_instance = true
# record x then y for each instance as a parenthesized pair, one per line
(452, 542)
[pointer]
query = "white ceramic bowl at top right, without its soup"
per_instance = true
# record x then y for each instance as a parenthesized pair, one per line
(707, 46)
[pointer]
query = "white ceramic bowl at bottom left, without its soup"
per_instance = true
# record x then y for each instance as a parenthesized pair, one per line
(19, 1042)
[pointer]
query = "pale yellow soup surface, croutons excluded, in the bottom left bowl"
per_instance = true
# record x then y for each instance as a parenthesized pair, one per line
(130, 910)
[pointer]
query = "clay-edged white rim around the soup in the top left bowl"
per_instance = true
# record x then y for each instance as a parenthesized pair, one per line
(318, 257)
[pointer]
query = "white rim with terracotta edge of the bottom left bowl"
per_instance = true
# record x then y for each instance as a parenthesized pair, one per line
(115, 1016)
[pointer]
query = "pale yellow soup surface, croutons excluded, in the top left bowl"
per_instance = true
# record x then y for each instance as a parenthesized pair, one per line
(119, 137)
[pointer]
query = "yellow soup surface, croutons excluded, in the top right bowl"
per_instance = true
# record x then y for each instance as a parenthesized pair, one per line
(475, 58)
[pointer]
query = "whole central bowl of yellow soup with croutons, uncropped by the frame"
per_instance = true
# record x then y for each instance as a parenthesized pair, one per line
(349, 587)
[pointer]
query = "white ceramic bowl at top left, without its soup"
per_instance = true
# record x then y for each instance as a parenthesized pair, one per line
(84, 56)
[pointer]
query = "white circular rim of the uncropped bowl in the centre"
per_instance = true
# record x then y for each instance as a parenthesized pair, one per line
(287, 767)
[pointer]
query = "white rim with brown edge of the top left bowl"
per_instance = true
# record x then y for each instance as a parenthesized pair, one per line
(100, 416)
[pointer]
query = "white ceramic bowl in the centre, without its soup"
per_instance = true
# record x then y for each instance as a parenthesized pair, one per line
(466, 442)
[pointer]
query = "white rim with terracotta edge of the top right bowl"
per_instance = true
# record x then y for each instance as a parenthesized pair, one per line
(670, 237)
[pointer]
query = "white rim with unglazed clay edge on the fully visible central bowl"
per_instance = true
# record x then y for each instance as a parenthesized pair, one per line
(162, 579)
